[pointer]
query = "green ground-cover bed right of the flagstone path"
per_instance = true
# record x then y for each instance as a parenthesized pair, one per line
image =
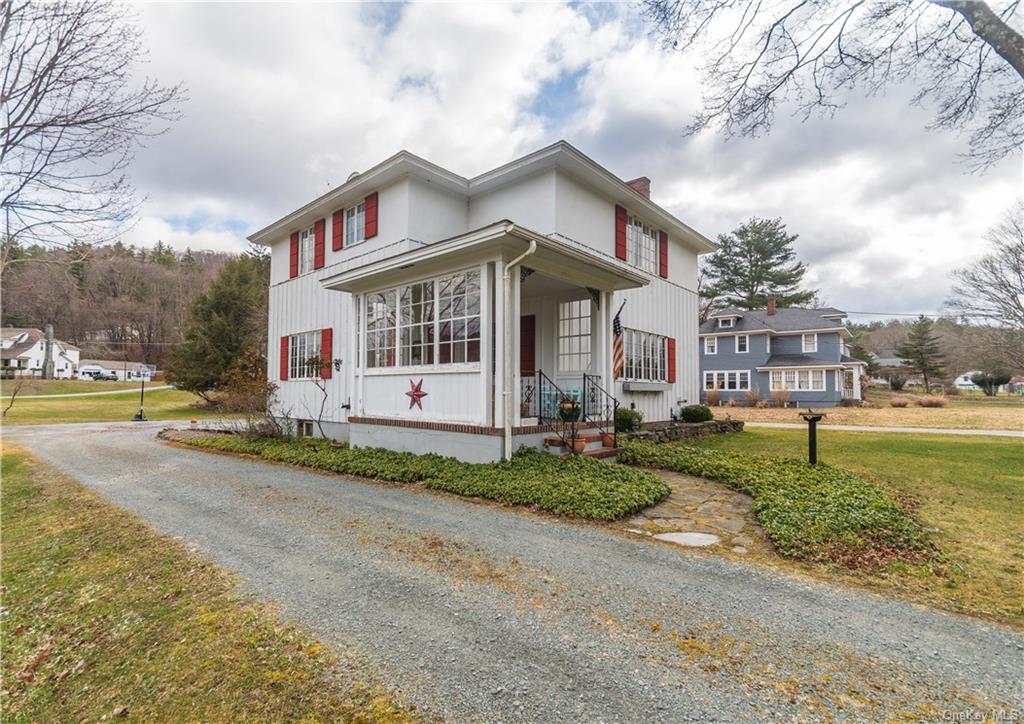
(812, 513)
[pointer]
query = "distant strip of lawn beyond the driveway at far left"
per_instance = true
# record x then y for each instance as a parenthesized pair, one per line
(161, 405)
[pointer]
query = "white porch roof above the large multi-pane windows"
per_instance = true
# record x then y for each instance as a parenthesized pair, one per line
(558, 257)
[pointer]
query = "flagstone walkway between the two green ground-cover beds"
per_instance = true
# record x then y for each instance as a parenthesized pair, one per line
(701, 514)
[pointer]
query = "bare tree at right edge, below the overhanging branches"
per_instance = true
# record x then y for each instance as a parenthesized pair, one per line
(992, 290)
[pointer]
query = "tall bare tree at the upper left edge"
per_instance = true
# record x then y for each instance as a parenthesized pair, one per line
(73, 117)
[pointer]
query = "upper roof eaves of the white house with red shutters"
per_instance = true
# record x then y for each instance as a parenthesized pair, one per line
(560, 155)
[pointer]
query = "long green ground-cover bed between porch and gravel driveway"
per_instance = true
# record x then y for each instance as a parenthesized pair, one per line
(580, 487)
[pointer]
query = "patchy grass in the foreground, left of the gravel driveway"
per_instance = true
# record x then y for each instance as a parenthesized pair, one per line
(104, 618)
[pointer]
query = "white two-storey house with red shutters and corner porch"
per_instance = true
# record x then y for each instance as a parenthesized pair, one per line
(454, 315)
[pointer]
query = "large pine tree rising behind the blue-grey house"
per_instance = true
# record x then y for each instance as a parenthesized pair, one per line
(755, 264)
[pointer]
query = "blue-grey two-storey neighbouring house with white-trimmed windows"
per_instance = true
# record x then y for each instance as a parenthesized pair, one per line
(794, 357)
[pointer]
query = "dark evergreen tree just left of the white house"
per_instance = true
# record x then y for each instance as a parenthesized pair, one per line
(223, 326)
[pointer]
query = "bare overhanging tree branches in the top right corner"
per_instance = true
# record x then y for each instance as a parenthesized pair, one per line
(967, 61)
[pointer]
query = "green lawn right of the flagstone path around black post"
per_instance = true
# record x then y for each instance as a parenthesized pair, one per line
(971, 489)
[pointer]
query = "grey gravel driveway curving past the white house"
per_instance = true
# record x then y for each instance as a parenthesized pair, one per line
(479, 613)
